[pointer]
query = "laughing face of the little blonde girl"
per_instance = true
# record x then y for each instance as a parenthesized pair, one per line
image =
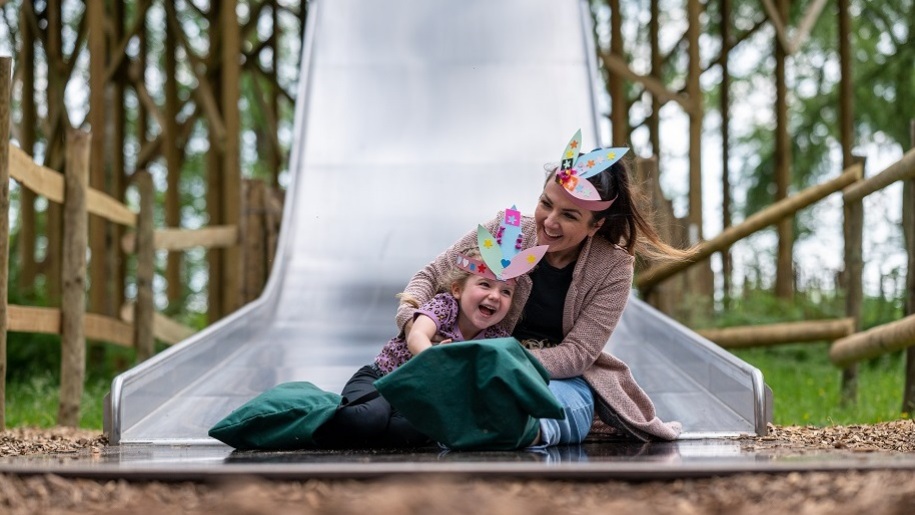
(483, 302)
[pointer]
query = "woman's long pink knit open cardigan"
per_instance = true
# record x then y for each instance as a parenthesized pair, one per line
(599, 291)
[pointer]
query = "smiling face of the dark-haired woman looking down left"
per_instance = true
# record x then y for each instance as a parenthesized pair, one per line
(562, 224)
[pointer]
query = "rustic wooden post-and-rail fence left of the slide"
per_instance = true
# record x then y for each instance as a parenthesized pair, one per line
(139, 324)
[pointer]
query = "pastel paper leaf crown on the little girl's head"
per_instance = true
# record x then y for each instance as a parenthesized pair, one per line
(503, 255)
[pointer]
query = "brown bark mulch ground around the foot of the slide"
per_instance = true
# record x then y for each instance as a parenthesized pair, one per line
(844, 492)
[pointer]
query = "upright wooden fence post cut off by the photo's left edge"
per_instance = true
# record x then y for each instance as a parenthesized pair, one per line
(5, 65)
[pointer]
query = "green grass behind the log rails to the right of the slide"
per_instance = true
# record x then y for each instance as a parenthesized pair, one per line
(806, 386)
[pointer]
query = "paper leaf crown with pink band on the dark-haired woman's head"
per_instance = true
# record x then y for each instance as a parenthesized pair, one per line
(574, 170)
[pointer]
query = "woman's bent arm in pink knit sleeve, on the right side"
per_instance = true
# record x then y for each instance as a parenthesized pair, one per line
(592, 327)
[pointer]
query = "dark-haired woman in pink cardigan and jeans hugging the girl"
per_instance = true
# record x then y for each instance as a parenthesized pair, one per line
(572, 301)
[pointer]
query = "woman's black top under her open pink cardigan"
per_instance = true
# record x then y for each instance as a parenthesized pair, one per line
(542, 315)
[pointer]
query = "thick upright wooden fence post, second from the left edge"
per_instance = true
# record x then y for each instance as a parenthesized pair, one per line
(73, 276)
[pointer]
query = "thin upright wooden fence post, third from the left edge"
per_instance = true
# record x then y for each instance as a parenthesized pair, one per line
(146, 255)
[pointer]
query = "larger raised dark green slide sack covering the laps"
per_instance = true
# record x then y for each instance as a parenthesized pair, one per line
(483, 394)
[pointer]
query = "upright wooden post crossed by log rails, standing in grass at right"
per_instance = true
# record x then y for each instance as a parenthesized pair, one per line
(854, 267)
